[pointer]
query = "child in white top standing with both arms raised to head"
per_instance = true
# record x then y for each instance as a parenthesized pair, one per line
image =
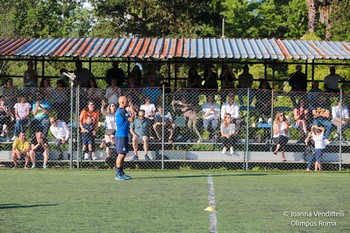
(317, 134)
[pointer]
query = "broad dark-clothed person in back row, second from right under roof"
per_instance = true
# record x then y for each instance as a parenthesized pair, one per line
(298, 82)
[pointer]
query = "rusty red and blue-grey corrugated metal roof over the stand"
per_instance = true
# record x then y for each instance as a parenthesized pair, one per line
(168, 48)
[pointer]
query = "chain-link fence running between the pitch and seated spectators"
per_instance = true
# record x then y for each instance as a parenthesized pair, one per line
(238, 128)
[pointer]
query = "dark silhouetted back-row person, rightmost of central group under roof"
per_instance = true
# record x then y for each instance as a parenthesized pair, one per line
(245, 80)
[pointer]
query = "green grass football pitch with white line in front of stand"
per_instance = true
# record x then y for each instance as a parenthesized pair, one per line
(171, 201)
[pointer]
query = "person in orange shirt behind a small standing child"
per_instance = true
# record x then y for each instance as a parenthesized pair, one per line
(93, 114)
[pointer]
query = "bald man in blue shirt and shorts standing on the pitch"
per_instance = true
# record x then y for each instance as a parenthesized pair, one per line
(123, 120)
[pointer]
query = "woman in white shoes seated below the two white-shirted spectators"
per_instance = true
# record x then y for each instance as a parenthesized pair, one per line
(228, 134)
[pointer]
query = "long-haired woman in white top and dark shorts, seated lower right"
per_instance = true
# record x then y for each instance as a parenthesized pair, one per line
(280, 133)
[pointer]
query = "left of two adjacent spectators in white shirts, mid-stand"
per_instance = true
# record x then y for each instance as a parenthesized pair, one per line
(211, 115)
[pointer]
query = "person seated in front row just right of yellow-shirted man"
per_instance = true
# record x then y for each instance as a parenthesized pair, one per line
(39, 147)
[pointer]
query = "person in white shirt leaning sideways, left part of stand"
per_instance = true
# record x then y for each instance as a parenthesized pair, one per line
(60, 131)
